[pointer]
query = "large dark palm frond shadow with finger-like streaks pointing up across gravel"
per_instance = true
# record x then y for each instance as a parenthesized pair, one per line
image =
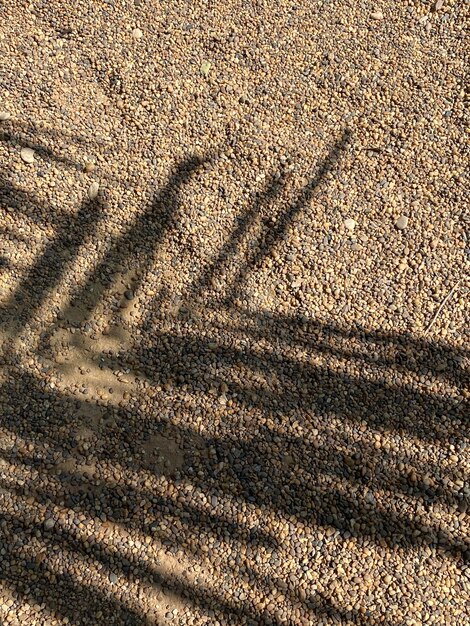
(273, 450)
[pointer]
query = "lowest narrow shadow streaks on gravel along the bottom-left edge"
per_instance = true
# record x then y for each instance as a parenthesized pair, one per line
(83, 602)
